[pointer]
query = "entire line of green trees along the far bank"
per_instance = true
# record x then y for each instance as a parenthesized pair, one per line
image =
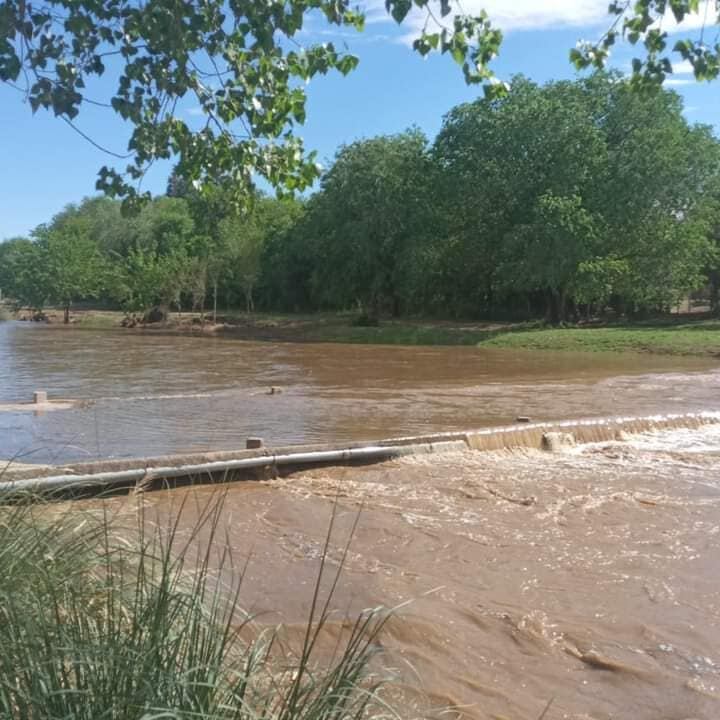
(566, 200)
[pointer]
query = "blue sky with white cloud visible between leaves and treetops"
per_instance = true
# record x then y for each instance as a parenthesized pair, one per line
(45, 164)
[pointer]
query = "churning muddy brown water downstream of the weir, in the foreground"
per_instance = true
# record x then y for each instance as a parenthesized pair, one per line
(589, 577)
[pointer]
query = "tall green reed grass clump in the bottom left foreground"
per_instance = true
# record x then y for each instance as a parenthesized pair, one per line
(101, 621)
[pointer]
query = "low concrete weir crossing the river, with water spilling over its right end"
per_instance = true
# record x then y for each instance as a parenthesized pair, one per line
(144, 474)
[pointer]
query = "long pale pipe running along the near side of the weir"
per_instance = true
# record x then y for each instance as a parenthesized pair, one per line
(120, 477)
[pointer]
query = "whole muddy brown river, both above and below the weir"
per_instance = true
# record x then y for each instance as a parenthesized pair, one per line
(584, 584)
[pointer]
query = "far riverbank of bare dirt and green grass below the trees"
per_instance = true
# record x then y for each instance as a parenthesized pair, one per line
(690, 335)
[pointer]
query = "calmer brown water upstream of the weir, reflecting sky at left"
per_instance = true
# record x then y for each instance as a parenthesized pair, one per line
(154, 394)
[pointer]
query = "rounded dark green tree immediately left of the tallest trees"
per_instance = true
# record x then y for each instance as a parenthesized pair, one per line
(368, 218)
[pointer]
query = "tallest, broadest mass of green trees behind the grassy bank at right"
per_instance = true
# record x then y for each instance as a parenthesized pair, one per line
(567, 180)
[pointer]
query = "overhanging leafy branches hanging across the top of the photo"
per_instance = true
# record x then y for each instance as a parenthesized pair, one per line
(242, 63)
